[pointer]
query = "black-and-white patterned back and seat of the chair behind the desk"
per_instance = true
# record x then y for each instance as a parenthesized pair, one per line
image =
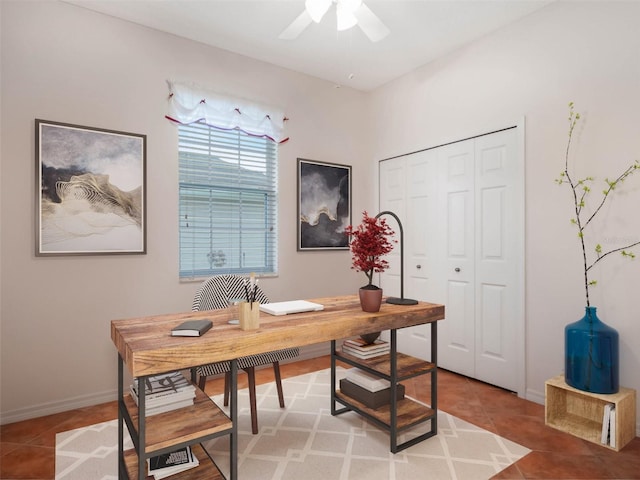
(214, 294)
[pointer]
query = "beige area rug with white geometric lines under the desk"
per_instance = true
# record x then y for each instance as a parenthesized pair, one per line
(305, 441)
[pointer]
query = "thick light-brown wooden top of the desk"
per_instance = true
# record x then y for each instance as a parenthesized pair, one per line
(147, 347)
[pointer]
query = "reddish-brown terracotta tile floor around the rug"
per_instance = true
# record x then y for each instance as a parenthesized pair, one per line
(27, 449)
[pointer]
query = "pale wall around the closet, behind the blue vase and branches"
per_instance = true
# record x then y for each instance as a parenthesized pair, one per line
(586, 52)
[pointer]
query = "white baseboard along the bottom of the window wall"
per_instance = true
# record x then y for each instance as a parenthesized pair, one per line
(50, 408)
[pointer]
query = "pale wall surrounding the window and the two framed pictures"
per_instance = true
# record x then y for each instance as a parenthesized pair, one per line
(64, 63)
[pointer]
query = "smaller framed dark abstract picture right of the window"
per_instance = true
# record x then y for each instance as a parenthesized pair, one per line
(324, 205)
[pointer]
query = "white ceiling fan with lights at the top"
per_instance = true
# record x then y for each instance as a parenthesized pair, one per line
(348, 12)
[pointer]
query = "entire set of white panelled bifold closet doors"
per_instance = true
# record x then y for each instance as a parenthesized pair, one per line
(462, 206)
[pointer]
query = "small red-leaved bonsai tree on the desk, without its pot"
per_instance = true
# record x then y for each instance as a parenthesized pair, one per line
(369, 242)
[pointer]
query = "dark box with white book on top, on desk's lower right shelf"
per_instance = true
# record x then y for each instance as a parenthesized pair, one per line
(372, 391)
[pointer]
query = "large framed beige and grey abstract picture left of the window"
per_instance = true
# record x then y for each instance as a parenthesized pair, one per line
(90, 190)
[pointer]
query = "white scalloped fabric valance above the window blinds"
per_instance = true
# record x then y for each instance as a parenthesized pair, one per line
(190, 104)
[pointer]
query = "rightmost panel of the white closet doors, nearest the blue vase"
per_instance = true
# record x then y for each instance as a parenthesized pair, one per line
(498, 258)
